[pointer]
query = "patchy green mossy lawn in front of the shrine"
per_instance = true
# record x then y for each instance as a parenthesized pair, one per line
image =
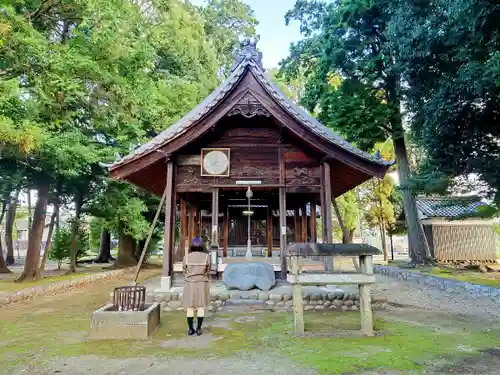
(57, 326)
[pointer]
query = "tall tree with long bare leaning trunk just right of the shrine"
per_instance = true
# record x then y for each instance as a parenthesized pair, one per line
(348, 39)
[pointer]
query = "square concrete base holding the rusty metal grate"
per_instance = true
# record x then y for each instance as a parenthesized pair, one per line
(109, 324)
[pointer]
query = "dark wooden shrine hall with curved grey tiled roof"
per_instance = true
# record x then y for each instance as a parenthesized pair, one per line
(246, 139)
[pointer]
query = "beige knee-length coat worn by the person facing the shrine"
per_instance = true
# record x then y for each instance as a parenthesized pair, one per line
(196, 276)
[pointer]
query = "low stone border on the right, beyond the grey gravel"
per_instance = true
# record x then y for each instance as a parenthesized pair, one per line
(447, 285)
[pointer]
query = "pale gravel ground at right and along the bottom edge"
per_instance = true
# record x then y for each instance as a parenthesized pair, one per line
(409, 302)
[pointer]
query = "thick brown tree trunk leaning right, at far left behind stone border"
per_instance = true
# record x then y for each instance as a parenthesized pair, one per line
(35, 239)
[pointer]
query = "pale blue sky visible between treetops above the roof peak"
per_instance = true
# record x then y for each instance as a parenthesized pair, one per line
(275, 36)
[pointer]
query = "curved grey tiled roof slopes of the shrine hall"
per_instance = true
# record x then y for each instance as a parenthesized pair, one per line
(218, 95)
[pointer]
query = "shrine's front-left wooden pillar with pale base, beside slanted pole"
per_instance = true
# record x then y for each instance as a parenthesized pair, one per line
(168, 243)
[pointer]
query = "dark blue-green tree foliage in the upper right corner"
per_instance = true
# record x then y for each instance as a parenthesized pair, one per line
(449, 52)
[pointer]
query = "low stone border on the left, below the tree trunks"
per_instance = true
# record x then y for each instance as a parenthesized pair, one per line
(58, 286)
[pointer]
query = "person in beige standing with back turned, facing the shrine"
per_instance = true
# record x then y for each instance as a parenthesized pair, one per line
(196, 294)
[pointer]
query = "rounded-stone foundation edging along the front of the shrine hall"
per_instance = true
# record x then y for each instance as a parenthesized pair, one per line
(279, 299)
